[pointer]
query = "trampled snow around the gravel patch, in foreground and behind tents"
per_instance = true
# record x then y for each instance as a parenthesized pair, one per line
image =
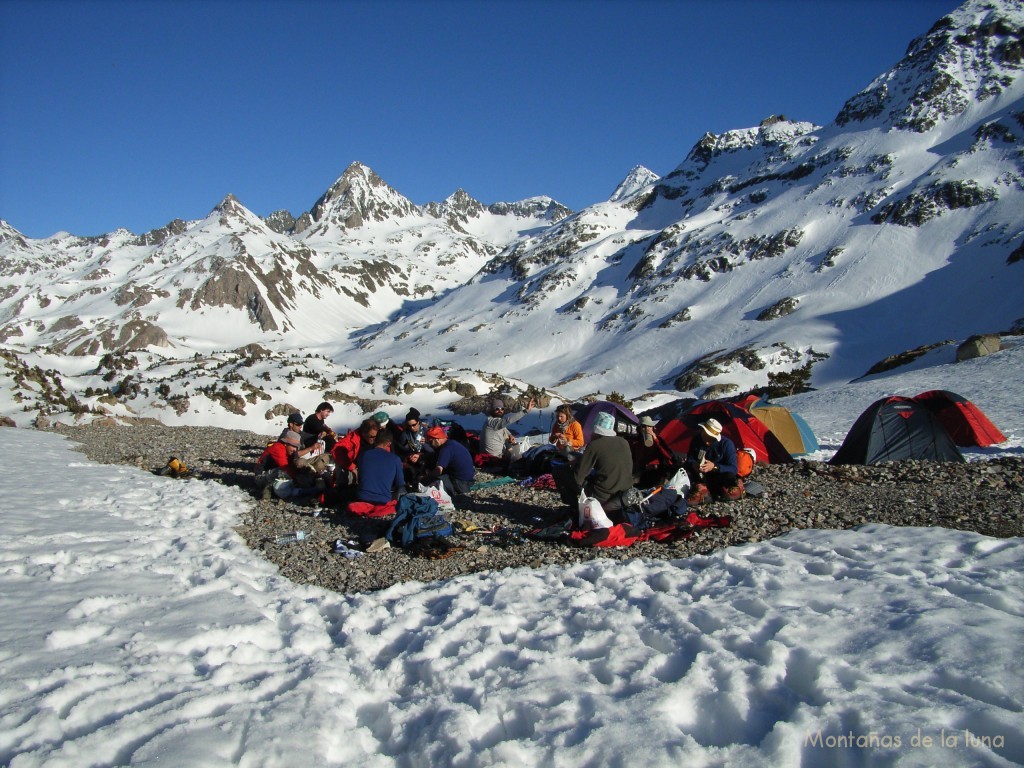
(141, 630)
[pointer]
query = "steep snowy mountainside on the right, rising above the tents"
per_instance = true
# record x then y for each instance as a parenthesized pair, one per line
(892, 228)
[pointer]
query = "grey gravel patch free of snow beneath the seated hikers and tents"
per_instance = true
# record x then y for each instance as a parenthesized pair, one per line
(985, 497)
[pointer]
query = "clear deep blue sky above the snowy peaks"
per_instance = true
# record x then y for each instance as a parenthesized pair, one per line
(133, 114)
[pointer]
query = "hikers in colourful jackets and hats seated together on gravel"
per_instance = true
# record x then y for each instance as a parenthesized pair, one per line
(375, 463)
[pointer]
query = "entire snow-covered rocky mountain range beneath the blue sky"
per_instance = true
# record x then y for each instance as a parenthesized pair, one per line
(767, 249)
